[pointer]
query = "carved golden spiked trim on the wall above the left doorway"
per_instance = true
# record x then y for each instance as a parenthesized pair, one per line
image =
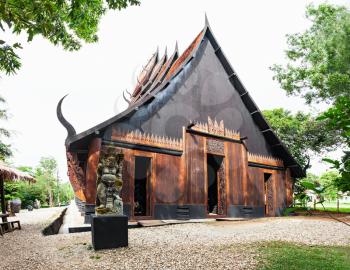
(137, 137)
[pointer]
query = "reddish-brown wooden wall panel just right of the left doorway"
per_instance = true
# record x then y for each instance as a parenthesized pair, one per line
(169, 186)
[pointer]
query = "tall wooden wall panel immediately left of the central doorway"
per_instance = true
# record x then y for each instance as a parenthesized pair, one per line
(195, 169)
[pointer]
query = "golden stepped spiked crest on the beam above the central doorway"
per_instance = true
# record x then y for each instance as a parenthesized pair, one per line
(213, 127)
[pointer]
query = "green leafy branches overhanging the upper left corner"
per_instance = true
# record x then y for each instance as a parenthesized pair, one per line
(63, 22)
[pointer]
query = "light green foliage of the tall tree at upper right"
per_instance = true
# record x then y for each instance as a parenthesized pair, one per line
(319, 58)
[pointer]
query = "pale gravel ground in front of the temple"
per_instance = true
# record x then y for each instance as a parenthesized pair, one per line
(213, 245)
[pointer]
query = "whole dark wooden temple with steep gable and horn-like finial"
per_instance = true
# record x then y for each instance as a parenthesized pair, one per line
(195, 144)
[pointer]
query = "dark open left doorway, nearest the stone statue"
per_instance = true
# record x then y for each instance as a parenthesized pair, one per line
(142, 186)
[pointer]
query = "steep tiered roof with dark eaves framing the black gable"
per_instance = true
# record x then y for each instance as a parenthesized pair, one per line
(166, 73)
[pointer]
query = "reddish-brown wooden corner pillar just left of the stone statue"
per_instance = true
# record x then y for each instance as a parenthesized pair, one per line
(91, 177)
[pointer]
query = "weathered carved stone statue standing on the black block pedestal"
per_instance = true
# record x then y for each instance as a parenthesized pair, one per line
(109, 185)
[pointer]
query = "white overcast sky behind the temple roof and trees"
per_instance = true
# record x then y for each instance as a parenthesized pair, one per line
(251, 33)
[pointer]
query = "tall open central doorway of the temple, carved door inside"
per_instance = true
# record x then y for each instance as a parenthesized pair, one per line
(216, 199)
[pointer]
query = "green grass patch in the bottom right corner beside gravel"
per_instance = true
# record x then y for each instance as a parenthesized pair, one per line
(283, 255)
